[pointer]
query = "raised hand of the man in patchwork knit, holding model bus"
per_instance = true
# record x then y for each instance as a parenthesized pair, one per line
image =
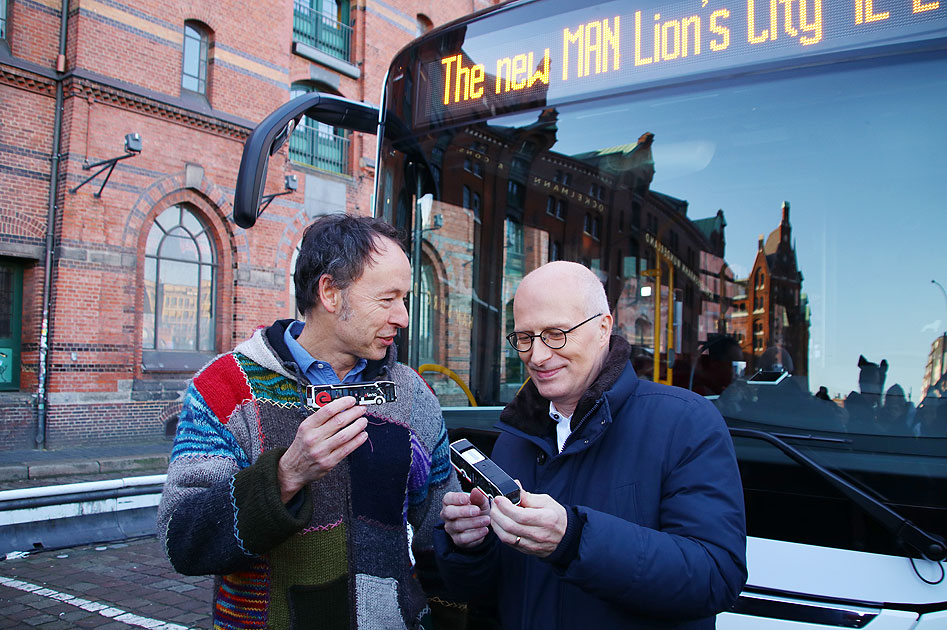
(322, 440)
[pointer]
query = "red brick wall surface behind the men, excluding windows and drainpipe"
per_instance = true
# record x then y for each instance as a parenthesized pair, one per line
(125, 64)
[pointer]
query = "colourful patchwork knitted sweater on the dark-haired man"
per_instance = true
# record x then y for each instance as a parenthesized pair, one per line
(337, 557)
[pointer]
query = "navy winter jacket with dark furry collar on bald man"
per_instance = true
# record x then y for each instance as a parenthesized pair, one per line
(650, 481)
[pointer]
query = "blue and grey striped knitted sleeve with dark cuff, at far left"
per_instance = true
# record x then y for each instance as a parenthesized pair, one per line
(218, 512)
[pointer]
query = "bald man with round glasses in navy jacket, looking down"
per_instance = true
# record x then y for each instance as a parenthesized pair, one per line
(631, 514)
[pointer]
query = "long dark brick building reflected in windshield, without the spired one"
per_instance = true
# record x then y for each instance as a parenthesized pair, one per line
(554, 208)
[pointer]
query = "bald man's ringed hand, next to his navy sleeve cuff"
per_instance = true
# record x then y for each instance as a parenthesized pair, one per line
(535, 526)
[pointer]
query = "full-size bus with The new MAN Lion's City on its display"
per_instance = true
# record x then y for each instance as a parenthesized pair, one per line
(760, 187)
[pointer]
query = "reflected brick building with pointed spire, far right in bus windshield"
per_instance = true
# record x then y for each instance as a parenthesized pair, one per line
(771, 315)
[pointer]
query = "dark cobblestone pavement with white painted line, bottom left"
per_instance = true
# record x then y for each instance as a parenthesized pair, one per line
(110, 586)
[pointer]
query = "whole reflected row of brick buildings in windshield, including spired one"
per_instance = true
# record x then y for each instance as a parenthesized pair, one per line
(666, 276)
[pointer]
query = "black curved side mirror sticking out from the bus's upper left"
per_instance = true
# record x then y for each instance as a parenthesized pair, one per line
(267, 138)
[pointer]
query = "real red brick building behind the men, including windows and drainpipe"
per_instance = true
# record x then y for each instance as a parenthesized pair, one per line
(109, 301)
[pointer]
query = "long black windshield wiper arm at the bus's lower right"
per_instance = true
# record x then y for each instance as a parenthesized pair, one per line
(930, 546)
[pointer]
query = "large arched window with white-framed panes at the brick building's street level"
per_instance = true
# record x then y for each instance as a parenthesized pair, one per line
(180, 284)
